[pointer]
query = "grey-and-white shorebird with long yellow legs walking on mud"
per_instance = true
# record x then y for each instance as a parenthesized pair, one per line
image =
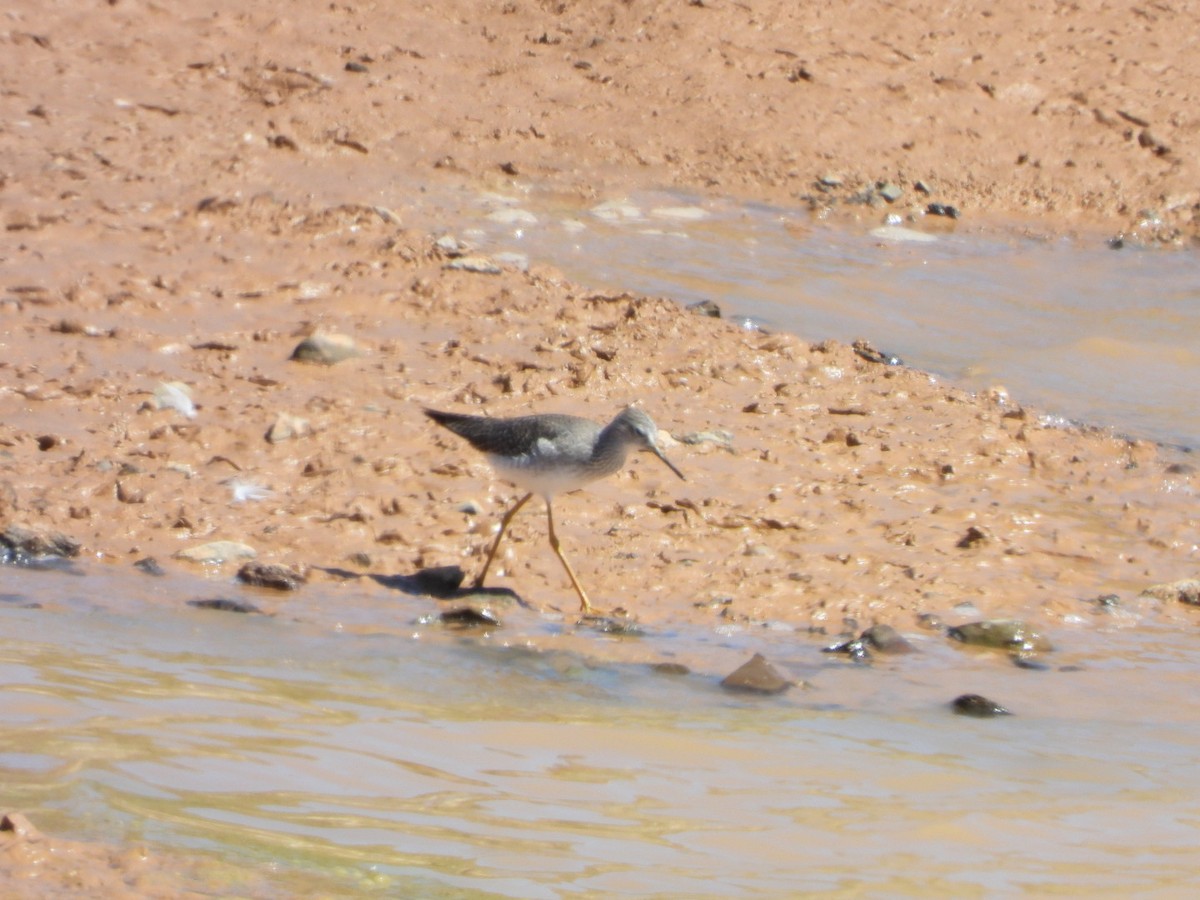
(550, 454)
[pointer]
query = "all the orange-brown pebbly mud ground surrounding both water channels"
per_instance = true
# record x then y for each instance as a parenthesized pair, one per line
(187, 199)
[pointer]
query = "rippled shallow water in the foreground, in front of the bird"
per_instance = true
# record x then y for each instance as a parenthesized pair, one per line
(399, 760)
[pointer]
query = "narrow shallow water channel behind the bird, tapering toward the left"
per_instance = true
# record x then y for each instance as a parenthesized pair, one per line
(1091, 334)
